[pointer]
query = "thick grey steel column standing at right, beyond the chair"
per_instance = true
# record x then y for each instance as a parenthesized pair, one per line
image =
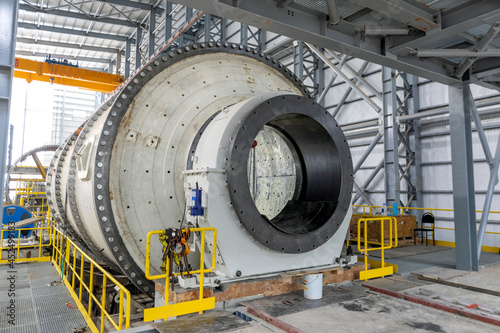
(463, 178)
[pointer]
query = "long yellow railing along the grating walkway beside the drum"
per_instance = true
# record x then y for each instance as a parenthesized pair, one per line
(80, 277)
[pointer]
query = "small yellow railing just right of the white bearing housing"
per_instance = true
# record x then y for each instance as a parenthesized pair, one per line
(384, 270)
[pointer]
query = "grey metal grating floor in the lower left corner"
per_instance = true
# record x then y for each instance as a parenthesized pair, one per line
(39, 308)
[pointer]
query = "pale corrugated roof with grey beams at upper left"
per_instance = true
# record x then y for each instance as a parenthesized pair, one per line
(90, 32)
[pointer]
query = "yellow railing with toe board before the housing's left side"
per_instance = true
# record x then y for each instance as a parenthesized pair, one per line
(178, 309)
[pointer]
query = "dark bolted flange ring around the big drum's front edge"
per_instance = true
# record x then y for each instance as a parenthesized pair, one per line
(114, 117)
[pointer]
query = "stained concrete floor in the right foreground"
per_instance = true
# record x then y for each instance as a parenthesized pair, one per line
(350, 307)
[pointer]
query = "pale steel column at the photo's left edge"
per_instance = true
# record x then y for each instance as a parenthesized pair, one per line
(8, 17)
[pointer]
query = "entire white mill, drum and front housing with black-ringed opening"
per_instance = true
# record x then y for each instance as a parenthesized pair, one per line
(274, 166)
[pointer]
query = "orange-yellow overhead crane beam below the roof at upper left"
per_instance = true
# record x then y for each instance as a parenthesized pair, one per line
(31, 70)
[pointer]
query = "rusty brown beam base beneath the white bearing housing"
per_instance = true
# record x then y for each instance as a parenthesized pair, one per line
(281, 284)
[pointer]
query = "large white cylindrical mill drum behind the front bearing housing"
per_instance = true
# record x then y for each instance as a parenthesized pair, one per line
(119, 176)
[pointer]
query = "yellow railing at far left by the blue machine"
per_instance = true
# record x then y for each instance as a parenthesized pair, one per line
(11, 239)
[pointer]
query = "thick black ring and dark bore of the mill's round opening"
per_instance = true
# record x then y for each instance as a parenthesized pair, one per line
(324, 174)
